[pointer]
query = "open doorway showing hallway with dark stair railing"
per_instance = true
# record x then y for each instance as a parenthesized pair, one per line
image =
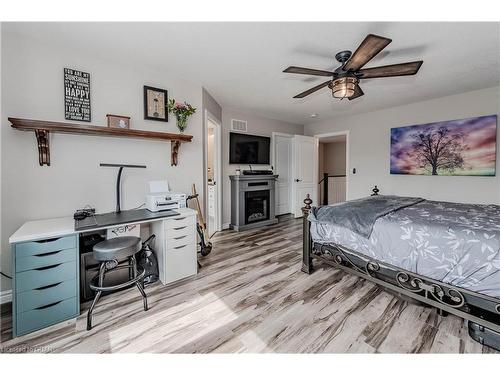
(332, 168)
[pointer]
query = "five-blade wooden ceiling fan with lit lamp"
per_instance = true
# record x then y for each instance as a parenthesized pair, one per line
(344, 81)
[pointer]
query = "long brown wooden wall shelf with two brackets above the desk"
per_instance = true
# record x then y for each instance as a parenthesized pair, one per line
(42, 129)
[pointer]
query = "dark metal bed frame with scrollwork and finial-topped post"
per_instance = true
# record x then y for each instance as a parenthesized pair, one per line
(474, 307)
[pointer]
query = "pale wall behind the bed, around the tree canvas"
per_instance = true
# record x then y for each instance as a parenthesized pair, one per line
(369, 136)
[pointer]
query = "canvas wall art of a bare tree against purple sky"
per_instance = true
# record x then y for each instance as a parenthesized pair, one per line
(464, 147)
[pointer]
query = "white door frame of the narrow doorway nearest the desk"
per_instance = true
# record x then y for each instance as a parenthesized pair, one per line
(218, 163)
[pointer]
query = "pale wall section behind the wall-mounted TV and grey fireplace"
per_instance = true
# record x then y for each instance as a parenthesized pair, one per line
(255, 125)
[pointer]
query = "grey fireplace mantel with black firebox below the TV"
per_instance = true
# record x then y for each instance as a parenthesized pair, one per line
(244, 187)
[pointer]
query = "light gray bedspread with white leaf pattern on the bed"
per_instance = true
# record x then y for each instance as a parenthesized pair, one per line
(458, 244)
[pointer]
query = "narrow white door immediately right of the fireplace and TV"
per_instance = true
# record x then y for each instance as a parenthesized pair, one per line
(283, 168)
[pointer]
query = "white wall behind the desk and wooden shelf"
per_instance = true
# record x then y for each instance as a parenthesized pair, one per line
(32, 87)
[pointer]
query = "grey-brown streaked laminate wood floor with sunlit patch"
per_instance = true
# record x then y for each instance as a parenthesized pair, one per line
(250, 296)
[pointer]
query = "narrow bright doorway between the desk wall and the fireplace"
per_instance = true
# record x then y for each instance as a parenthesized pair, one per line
(213, 173)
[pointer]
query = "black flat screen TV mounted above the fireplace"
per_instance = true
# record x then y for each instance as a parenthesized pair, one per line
(248, 149)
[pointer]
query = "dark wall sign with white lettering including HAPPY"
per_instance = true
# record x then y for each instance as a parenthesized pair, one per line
(76, 95)
